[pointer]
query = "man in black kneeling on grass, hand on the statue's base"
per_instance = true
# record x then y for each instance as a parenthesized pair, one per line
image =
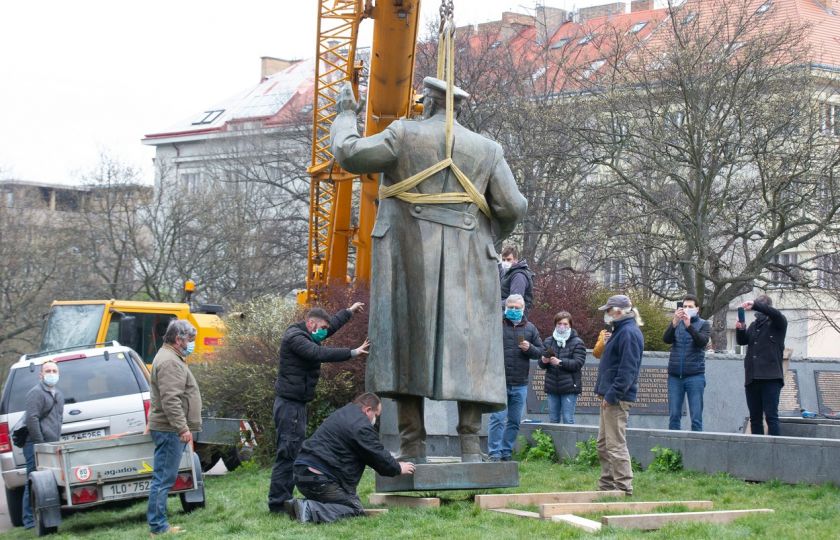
(331, 462)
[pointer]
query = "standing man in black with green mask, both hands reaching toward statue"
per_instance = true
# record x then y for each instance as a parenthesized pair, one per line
(301, 356)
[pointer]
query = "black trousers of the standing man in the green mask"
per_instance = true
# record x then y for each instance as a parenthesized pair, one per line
(290, 423)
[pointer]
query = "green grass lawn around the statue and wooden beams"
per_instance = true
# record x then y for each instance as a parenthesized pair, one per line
(236, 508)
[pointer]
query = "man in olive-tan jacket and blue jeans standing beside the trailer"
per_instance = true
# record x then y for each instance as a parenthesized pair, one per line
(174, 414)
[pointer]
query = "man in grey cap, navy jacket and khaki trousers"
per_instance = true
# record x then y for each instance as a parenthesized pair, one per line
(617, 383)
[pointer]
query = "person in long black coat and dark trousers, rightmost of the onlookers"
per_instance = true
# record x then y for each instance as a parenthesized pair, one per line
(763, 369)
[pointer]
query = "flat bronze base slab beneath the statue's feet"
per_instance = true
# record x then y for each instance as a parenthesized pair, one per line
(447, 476)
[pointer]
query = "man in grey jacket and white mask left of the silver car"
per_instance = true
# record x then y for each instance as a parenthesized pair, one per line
(44, 414)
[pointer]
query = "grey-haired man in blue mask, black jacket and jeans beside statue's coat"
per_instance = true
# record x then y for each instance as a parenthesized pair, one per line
(521, 342)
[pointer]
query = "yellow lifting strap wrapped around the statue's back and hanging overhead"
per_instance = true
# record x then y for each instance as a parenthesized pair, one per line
(446, 66)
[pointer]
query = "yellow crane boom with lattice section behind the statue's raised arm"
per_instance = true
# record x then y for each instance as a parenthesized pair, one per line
(389, 97)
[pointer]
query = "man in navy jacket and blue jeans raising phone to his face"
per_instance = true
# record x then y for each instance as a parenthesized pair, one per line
(688, 336)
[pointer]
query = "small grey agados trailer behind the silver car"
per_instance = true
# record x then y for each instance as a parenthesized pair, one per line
(85, 473)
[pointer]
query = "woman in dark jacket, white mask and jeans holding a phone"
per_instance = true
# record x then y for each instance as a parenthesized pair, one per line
(564, 357)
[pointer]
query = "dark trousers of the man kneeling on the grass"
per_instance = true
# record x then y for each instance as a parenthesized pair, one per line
(326, 499)
